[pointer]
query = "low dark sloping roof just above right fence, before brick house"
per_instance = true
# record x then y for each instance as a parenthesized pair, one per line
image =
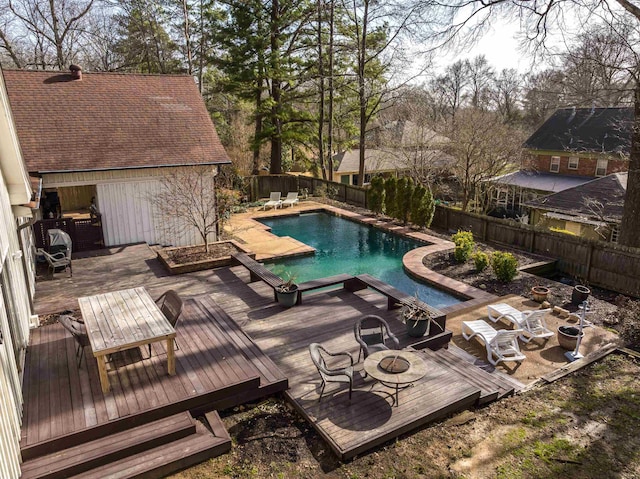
(602, 198)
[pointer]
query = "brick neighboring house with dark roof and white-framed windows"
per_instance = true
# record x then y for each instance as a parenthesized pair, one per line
(574, 146)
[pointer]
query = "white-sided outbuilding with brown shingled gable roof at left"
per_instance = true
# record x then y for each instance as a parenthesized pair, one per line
(112, 137)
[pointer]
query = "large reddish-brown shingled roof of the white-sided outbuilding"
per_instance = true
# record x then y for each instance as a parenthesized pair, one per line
(110, 121)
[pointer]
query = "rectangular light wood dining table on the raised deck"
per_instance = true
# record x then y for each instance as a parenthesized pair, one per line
(121, 320)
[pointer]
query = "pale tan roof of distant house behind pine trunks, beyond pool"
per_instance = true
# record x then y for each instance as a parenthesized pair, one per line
(388, 159)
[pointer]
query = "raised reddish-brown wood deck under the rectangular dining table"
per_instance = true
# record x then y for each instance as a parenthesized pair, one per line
(217, 366)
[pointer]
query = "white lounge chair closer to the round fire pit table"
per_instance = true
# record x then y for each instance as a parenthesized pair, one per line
(503, 343)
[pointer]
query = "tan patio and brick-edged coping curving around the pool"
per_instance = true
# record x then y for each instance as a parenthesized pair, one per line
(257, 237)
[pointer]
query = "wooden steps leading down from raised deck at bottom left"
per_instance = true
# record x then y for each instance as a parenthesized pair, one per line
(150, 450)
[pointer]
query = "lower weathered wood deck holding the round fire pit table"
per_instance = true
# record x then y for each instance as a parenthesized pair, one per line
(369, 420)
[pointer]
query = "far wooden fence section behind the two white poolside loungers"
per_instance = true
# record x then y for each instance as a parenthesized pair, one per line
(262, 186)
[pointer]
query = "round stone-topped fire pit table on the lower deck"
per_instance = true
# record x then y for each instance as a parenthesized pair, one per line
(395, 369)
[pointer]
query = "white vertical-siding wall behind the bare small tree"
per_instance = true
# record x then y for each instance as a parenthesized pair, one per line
(128, 216)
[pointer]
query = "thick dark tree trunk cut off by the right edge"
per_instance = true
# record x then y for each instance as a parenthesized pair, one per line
(630, 224)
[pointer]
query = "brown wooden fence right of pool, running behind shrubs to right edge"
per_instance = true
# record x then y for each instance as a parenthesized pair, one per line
(593, 262)
